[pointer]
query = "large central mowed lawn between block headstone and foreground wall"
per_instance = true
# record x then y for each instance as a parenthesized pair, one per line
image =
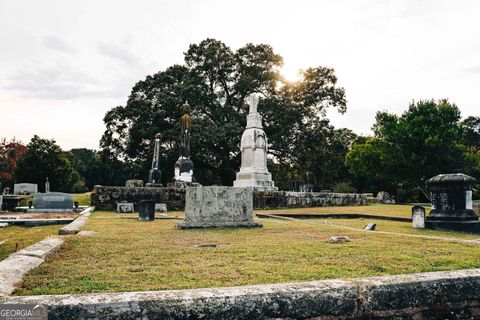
(128, 255)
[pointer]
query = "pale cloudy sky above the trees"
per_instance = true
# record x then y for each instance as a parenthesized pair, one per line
(64, 64)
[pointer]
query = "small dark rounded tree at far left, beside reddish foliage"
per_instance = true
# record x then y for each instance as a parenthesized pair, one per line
(43, 159)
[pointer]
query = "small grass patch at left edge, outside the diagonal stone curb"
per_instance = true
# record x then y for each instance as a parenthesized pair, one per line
(21, 237)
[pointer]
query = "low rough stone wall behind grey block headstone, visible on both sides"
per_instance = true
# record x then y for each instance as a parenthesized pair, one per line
(106, 198)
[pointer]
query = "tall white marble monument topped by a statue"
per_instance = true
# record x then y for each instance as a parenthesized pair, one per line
(254, 148)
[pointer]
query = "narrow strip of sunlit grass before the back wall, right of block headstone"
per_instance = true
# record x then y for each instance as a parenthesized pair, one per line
(392, 210)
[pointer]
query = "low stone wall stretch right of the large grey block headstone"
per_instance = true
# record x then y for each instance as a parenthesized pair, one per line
(288, 199)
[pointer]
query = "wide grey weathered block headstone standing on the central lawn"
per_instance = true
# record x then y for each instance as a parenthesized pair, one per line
(210, 207)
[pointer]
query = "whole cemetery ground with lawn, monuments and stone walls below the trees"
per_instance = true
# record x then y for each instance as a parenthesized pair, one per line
(150, 238)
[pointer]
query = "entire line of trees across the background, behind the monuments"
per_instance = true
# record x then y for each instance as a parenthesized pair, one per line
(428, 138)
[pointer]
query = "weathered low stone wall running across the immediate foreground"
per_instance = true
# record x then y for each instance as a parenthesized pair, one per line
(434, 295)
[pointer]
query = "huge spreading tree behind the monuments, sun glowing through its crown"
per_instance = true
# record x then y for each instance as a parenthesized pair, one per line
(216, 81)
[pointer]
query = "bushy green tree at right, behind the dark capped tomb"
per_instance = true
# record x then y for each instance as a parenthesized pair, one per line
(424, 141)
